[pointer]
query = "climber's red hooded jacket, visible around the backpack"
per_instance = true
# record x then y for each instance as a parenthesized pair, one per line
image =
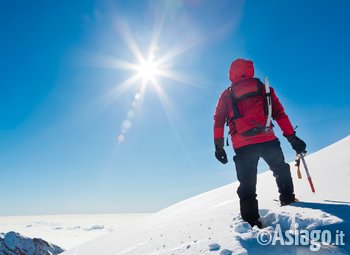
(242, 69)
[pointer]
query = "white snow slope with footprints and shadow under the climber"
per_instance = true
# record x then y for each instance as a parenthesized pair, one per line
(210, 223)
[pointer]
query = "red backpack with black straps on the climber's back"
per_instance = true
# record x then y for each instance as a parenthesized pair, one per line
(250, 109)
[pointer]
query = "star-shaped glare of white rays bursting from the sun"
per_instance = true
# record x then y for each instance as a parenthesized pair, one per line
(151, 66)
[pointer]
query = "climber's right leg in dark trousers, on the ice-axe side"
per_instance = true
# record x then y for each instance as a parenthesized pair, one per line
(272, 153)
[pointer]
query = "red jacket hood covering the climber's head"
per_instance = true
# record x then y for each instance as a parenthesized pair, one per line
(241, 69)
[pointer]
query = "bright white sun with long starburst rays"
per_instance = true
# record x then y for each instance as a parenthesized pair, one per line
(152, 68)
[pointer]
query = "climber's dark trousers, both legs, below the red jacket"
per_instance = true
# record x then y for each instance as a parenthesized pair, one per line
(246, 160)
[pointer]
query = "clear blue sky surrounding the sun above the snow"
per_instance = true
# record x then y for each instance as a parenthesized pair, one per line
(62, 111)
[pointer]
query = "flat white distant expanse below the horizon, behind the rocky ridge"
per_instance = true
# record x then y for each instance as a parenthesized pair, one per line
(67, 231)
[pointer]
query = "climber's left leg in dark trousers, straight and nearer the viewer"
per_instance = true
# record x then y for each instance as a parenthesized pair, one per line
(246, 161)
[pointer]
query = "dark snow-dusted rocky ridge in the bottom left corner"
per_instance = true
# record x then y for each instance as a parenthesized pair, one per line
(13, 243)
